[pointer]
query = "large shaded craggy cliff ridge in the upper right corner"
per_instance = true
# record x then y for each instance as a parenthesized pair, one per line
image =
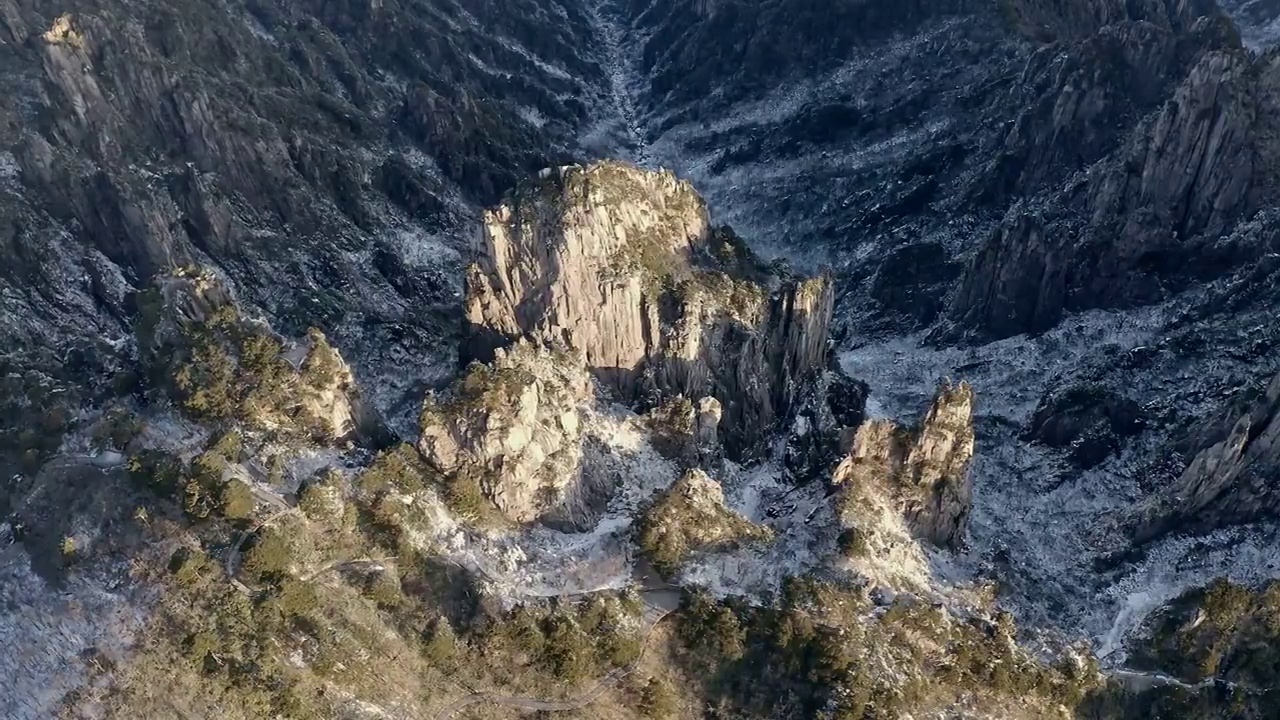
(1112, 218)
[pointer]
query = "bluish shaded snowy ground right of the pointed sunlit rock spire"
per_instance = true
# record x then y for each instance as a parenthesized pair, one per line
(1049, 532)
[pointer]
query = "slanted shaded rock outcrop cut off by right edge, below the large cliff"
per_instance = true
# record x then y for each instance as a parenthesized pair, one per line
(1231, 479)
